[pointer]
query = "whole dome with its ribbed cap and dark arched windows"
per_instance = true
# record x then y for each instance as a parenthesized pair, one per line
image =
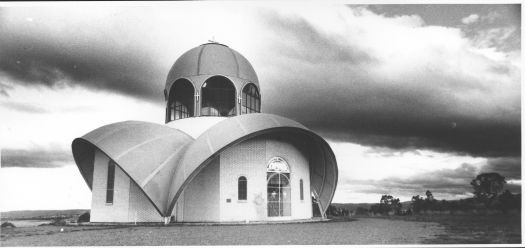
(211, 80)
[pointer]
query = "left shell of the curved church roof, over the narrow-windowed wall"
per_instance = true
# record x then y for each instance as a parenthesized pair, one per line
(146, 152)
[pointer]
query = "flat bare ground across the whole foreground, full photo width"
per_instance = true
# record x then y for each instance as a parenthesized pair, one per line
(417, 229)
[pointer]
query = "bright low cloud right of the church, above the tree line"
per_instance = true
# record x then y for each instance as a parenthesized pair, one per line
(366, 173)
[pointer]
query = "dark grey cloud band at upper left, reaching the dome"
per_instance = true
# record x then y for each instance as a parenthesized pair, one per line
(32, 57)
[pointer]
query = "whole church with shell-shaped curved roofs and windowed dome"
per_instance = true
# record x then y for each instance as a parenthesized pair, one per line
(216, 159)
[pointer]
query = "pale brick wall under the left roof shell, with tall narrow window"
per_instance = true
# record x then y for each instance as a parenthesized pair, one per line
(129, 202)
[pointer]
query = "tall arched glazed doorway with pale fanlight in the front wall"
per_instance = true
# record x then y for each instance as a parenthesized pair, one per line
(278, 187)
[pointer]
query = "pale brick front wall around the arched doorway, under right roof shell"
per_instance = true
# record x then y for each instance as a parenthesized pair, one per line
(249, 159)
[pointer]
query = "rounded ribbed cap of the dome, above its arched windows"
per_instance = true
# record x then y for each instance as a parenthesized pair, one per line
(212, 59)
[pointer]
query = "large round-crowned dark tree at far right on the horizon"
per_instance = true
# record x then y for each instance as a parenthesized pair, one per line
(487, 186)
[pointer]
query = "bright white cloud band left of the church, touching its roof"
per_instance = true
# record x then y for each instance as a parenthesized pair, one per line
(40, 118)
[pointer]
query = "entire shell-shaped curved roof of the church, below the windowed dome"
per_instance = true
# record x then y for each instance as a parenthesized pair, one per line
(162, 160)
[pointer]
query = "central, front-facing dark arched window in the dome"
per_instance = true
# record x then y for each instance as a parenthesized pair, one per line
(218, 97)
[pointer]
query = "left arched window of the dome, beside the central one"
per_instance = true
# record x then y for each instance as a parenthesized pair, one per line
(180, 101)
